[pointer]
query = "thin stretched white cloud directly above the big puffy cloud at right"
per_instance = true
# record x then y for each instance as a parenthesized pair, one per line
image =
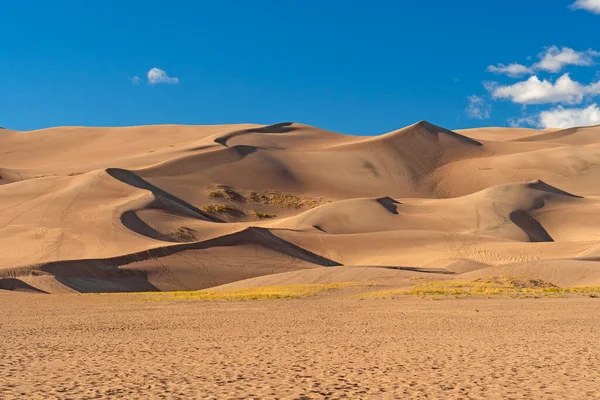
(552, 59)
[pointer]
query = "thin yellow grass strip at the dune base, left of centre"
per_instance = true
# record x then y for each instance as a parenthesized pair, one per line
(256, 293)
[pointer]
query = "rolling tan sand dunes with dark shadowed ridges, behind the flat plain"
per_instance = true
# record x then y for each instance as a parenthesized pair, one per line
(189, 207)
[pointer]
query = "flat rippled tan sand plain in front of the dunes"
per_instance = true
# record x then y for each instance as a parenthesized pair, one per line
(92, 346)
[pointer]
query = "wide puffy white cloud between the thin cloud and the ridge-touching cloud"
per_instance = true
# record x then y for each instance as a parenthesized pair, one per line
(536, 91)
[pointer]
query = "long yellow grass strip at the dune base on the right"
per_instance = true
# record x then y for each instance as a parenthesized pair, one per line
(510, 286)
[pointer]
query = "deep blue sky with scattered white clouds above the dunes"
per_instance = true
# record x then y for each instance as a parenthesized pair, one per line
(353, 67)
